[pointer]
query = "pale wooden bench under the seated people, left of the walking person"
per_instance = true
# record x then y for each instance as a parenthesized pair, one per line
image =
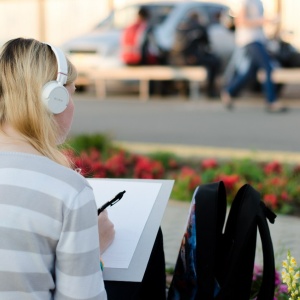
(143, 74)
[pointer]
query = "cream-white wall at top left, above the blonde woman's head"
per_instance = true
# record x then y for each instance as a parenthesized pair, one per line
(64, 19)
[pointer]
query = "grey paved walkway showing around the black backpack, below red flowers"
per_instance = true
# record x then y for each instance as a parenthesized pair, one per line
(285, 234)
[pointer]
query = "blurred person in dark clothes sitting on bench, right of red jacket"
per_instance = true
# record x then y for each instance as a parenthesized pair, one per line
(192, 47)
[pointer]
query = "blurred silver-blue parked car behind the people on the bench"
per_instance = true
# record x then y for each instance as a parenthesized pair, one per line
(100, 47)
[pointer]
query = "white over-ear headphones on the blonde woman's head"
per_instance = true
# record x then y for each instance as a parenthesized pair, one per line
(54, 95)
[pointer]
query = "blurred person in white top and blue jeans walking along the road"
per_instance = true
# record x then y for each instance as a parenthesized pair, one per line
(250, 38)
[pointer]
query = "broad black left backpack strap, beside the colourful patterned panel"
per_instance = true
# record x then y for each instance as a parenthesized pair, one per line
(210, 212)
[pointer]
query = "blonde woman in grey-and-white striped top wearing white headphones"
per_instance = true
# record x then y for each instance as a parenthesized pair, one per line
(49, 229)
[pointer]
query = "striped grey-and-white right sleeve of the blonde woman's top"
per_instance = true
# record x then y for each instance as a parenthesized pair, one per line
(77, 267)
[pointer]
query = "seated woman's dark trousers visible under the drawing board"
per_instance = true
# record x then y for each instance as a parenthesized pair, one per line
(153, 285)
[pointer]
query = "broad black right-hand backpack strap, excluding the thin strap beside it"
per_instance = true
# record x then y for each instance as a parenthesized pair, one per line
(236, 269)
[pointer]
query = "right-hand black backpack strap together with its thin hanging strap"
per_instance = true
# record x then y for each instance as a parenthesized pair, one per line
(246, 214)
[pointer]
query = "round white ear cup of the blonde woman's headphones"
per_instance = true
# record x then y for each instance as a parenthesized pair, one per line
(55, 96)
